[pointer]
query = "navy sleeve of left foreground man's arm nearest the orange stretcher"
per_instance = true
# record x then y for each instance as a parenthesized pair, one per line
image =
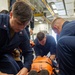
(27, 51)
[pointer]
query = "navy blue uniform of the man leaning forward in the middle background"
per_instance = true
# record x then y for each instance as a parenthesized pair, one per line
(50, 46)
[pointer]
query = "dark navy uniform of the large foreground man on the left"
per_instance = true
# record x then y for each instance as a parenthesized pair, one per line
(7, 45)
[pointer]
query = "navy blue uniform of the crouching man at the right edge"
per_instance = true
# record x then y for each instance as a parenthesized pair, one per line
(66, 49)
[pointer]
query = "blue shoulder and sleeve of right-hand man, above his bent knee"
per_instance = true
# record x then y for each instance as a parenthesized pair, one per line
(68, 29)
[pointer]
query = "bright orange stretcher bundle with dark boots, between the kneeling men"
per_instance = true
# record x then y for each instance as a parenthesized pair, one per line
(42, 66)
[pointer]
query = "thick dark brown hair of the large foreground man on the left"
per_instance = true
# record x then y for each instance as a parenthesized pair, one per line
(22, 11)
